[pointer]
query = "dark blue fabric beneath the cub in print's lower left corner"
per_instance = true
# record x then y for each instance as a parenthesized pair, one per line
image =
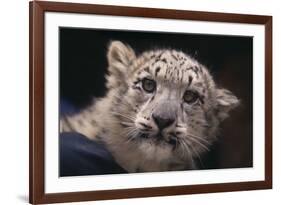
(81, 156)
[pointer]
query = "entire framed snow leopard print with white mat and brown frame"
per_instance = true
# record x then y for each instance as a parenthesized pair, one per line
(138, 102)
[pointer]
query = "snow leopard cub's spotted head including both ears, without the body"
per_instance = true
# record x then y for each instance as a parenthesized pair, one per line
(166, 102)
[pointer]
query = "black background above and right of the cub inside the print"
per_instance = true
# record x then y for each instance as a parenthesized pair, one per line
(83, 65)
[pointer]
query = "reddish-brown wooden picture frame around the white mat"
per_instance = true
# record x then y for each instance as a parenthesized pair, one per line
(37, 194)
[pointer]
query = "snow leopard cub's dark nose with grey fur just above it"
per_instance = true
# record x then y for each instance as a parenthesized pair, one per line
(164, 114)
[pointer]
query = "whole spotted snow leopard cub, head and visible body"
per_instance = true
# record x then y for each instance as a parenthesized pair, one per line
(161, 111)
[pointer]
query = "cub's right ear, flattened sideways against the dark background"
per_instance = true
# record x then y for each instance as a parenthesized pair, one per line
(226, 101)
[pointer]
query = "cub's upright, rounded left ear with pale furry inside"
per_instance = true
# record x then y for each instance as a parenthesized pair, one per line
(120, 57)
